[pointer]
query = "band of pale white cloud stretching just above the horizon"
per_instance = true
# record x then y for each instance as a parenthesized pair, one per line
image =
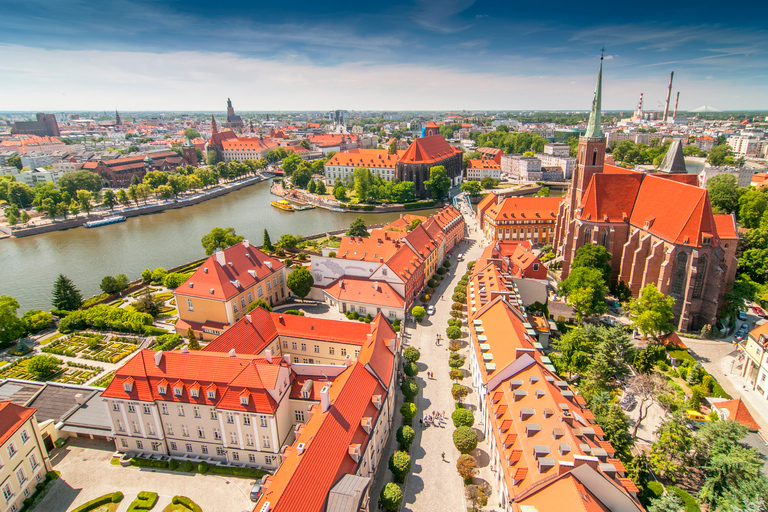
(56, 80)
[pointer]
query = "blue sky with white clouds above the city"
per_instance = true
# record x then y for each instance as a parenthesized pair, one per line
(60, 55)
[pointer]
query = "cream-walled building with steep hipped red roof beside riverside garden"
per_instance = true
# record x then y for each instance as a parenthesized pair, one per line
(220, 291)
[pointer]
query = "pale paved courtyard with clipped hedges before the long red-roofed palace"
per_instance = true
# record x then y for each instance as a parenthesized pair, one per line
(87, 474)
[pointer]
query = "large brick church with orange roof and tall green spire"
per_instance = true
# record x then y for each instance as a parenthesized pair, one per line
(658, 228)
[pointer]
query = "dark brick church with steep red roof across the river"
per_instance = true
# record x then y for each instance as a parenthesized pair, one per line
(425, 153)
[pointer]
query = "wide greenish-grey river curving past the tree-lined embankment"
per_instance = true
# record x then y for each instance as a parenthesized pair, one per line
(29, 266)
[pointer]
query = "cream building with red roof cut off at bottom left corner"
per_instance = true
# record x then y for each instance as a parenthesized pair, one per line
(23, 457)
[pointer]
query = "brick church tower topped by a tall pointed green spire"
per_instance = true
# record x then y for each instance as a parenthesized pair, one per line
(591, 154)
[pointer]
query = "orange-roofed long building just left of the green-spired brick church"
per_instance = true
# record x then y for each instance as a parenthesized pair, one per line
(521, 218)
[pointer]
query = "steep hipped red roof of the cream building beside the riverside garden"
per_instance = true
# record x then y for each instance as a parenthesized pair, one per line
(244, 266)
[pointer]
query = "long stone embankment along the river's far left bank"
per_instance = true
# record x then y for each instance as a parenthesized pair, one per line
(146, 209)
